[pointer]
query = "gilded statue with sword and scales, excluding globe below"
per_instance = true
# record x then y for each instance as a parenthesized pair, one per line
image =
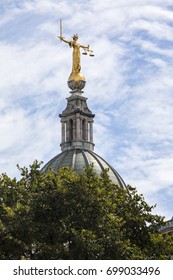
(76, 60)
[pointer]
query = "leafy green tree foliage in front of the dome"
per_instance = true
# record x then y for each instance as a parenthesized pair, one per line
(69, 216)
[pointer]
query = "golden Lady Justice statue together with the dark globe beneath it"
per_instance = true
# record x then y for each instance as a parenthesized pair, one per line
(76, 80)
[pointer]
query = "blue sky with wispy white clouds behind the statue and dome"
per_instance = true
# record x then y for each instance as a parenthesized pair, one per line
(129, 85)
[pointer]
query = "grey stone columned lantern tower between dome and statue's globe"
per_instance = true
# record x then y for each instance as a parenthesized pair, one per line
(77, 123)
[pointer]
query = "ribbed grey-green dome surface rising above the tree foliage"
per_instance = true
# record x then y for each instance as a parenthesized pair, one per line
(78, 159)
